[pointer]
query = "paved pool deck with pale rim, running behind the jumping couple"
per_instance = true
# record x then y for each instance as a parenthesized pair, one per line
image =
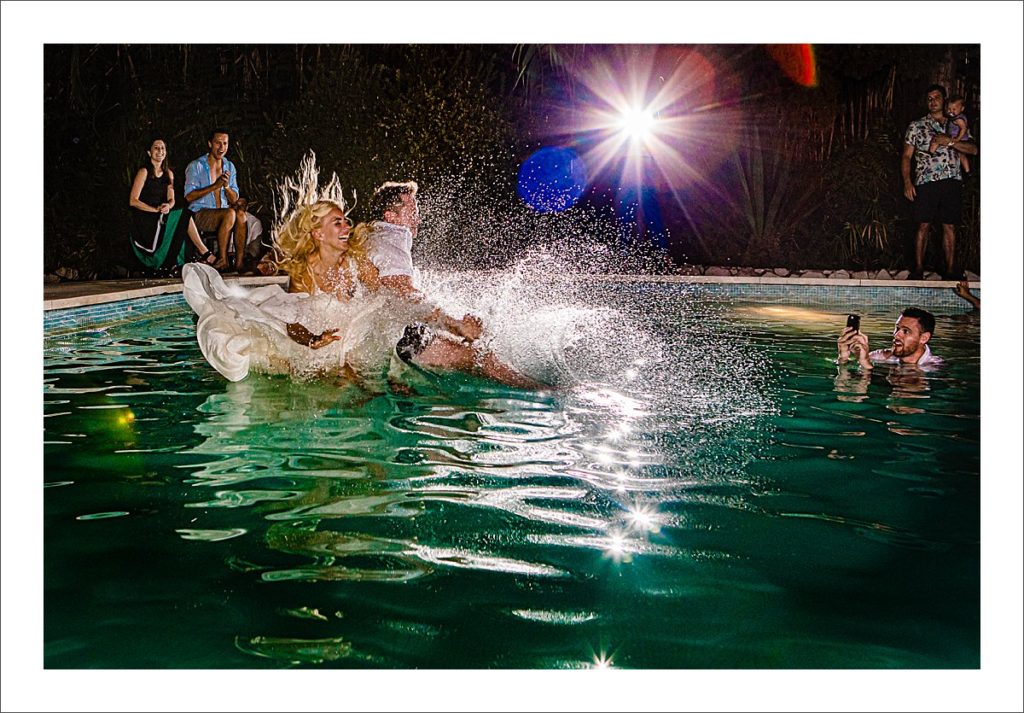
(80, 295)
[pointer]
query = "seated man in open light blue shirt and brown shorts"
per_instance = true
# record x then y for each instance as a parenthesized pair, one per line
(212, 192)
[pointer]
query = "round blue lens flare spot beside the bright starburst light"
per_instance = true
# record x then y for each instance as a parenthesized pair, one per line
(552, 180)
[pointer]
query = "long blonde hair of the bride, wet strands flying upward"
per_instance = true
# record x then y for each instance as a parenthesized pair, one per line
(303, 206)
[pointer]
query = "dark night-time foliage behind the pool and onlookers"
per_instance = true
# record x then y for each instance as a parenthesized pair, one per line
(812, 179)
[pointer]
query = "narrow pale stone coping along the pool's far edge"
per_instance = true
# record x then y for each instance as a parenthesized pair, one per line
(172, 287)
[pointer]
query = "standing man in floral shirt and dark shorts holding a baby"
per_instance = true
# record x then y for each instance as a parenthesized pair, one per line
(935, 191)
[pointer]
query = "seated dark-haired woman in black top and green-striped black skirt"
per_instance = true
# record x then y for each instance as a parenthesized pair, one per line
(158, 230)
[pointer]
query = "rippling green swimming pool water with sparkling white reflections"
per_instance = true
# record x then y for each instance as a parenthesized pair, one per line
(707, 491)
